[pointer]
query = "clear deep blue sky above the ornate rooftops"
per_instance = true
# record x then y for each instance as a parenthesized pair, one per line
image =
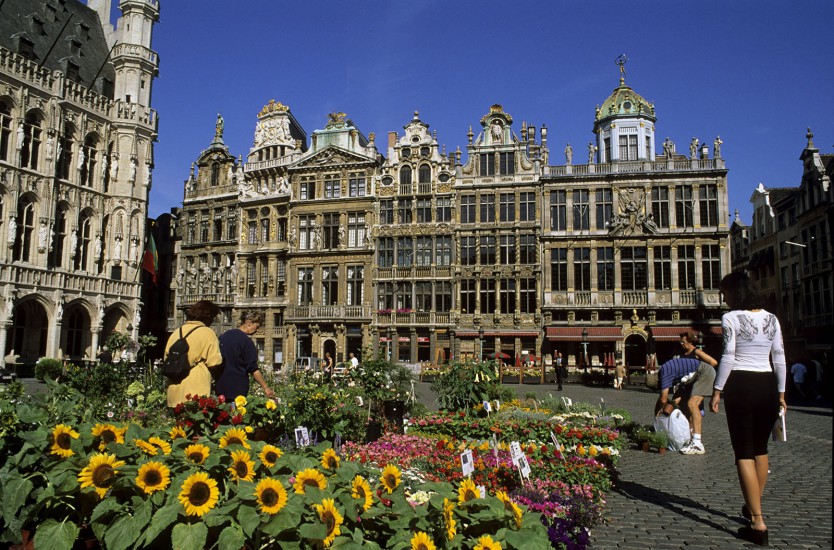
(757, 73)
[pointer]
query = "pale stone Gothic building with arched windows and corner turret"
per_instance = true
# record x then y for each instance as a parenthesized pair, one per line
(76, 157)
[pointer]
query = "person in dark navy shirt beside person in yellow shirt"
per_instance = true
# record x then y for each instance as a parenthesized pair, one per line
(240, 359)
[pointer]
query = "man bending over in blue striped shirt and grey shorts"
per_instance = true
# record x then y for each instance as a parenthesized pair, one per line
(691, 391)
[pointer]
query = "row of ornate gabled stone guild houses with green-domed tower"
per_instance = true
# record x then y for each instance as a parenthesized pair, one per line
(424, 256)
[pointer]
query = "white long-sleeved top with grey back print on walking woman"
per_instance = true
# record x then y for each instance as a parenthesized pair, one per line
(751, 340)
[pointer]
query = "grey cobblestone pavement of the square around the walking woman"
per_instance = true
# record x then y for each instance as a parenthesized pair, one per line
(678, 501)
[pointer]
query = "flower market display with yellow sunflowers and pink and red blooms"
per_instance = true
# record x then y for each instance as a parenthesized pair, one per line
(238, 474)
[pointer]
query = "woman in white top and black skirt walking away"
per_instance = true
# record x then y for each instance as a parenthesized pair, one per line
(753, 391)
